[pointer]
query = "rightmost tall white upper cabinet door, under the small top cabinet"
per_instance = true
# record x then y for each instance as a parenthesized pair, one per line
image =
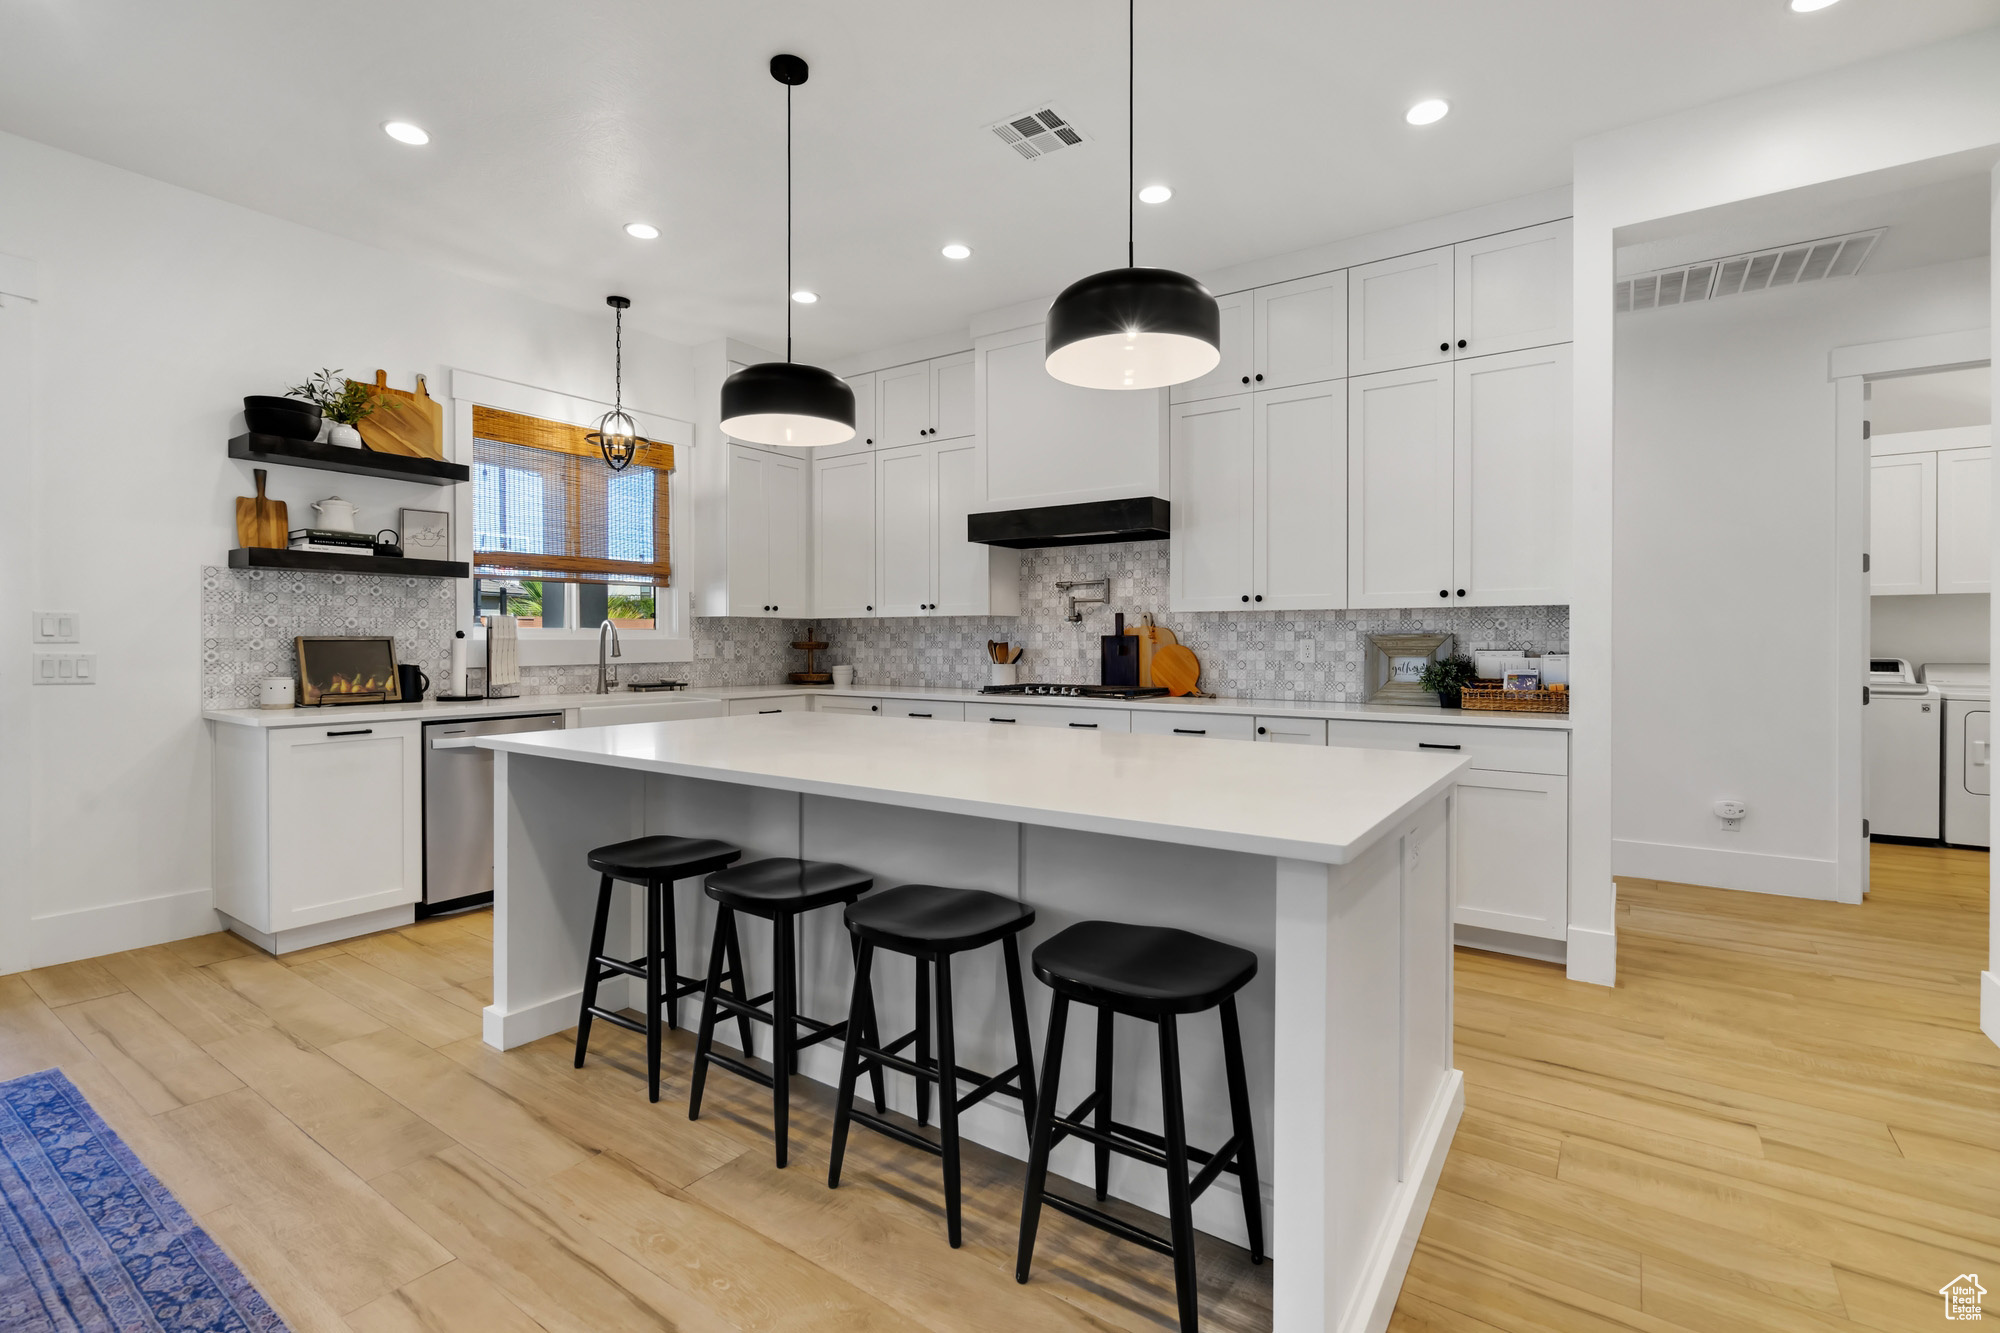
(1513, 479)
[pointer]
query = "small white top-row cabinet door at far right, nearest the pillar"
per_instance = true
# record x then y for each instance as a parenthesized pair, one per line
(1513, 291)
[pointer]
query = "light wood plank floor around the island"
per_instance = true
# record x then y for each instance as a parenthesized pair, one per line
(1785, 1118)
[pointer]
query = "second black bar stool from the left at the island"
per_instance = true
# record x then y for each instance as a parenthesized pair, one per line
(781, 890)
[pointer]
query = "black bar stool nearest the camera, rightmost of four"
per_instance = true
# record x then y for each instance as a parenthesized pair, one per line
(1151, 974)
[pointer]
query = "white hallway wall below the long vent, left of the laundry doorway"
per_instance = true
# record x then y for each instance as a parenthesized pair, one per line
(1727, 571)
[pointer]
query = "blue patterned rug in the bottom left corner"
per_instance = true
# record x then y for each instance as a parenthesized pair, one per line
(91, 1242)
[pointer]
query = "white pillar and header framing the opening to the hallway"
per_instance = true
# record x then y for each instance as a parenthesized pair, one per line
(1911, 107)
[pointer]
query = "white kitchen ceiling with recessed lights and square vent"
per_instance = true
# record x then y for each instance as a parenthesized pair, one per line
(1277, 123)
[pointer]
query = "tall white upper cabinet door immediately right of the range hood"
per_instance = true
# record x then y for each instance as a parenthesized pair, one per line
(1211, 555)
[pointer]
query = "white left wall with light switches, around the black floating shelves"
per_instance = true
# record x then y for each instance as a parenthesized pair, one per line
(159, 311)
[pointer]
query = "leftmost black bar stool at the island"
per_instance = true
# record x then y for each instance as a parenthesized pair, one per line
(653, 862)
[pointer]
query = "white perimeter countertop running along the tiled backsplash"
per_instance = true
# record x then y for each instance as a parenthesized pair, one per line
(557, 704)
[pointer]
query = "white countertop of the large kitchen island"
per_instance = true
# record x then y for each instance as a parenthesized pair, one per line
(1265, 800)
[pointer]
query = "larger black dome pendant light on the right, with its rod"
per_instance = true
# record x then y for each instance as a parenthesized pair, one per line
(1133, 327)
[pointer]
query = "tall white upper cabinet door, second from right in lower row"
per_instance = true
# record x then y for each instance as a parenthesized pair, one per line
(1401, 489)
